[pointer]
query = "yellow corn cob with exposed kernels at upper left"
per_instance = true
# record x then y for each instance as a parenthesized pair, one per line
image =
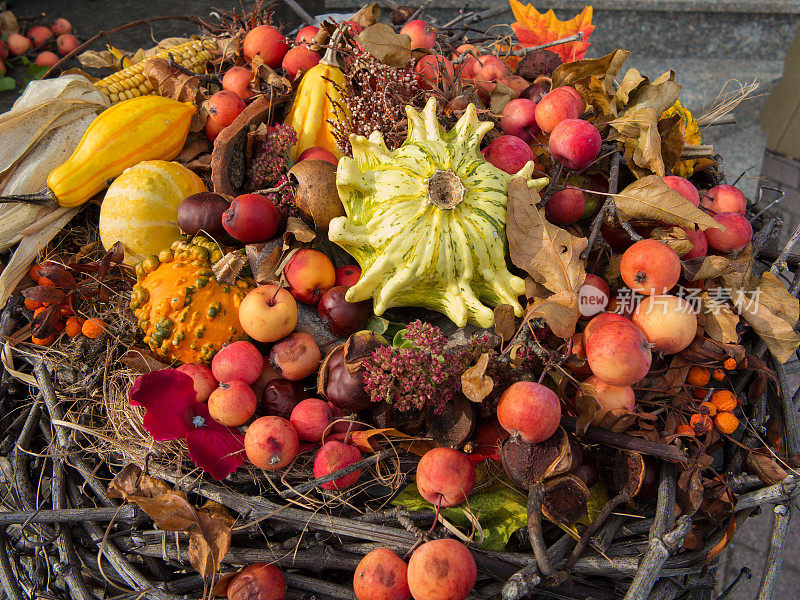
(131, 82)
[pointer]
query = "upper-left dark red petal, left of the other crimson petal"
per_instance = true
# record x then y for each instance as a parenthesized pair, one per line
(169, 397)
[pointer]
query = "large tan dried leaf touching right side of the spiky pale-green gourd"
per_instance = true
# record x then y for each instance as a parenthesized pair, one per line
(550, 254)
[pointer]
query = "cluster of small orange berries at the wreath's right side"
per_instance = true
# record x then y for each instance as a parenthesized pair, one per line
(716, 408)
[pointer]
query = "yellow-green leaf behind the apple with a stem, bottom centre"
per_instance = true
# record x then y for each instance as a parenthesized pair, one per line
(500, 508)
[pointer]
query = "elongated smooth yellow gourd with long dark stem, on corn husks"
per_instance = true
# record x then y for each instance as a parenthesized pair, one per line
(143, 128)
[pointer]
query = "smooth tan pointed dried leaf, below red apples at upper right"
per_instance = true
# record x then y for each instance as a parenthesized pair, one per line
(650, 198)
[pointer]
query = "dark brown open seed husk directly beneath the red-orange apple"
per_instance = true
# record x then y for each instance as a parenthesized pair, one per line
(526, 463)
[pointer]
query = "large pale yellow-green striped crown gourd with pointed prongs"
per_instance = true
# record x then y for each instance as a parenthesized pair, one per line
(426, 222)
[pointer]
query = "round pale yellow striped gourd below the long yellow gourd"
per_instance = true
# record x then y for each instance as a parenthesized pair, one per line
(141, 206)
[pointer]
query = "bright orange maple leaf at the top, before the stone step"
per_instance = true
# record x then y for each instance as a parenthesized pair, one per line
(534, 28)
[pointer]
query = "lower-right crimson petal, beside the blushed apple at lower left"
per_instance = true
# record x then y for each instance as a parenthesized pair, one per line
(216, 449)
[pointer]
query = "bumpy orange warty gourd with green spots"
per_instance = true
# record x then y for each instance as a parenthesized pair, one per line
(184, 312)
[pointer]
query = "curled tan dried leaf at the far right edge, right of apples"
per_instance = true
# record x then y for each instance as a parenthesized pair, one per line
(771, 311)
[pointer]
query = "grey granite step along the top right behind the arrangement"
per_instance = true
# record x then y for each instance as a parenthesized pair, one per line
(755, 29)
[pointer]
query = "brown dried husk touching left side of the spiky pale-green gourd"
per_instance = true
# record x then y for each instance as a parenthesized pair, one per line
(317, 197)
